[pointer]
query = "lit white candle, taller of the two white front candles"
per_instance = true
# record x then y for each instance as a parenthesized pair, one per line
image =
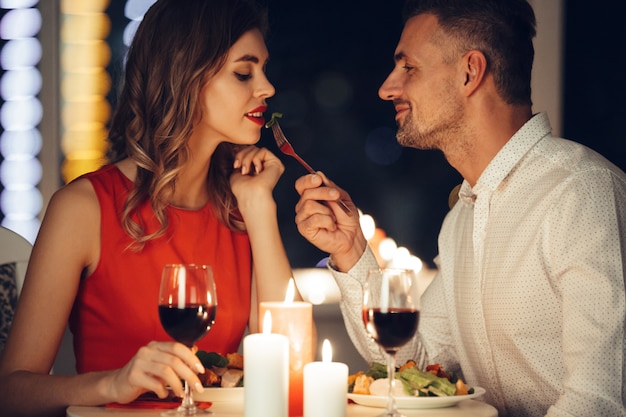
(266, 365)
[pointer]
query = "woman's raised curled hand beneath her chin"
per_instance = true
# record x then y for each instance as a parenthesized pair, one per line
(257, 171)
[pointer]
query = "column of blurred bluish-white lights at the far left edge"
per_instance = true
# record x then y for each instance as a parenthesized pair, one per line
(20, 114)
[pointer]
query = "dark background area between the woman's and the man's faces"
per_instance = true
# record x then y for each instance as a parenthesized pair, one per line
(328, 60)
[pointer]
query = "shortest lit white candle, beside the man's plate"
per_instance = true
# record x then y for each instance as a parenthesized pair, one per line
(325, 386)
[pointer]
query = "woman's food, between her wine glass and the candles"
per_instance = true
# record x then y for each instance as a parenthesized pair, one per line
(221, 371)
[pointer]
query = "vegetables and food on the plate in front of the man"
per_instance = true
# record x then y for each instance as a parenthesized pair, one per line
(434, 381)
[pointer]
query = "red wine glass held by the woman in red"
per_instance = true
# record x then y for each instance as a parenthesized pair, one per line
(187, 309)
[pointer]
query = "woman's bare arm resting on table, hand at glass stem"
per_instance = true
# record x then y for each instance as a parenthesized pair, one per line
(68, 244)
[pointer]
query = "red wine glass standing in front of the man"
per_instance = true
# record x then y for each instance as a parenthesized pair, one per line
(391, 314)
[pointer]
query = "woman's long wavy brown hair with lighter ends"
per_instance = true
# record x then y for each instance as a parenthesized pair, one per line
(178, 47)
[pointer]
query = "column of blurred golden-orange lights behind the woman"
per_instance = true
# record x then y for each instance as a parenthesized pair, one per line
(85, 84)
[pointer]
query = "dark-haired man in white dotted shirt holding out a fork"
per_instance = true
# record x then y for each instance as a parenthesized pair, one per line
(529, 299)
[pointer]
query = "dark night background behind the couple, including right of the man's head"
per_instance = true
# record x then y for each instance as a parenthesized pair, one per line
(328, 59)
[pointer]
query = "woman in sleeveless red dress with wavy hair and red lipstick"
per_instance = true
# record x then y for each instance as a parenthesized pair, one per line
(184, 185)
